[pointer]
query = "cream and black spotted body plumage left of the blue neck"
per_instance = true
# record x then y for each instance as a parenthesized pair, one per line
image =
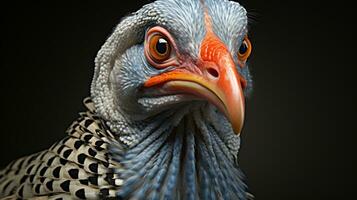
(78, 166)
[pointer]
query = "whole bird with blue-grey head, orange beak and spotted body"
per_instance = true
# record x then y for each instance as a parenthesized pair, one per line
(164, 115)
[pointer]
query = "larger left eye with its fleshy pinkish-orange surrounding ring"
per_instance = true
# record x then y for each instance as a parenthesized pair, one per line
(160, 48)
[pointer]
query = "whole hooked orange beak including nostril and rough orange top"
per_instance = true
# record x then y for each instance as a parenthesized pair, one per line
(214, 78)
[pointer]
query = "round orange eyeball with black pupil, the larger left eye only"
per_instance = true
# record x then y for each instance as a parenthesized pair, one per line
(159, 48)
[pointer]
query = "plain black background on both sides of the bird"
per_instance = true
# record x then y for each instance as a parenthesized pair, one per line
(299, 139)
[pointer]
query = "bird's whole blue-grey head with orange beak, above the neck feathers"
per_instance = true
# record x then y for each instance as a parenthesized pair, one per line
(171, 55)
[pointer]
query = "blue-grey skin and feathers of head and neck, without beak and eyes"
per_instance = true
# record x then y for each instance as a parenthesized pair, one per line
(177, 145)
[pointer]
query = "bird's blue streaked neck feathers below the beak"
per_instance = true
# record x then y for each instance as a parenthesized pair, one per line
(186, 154)
